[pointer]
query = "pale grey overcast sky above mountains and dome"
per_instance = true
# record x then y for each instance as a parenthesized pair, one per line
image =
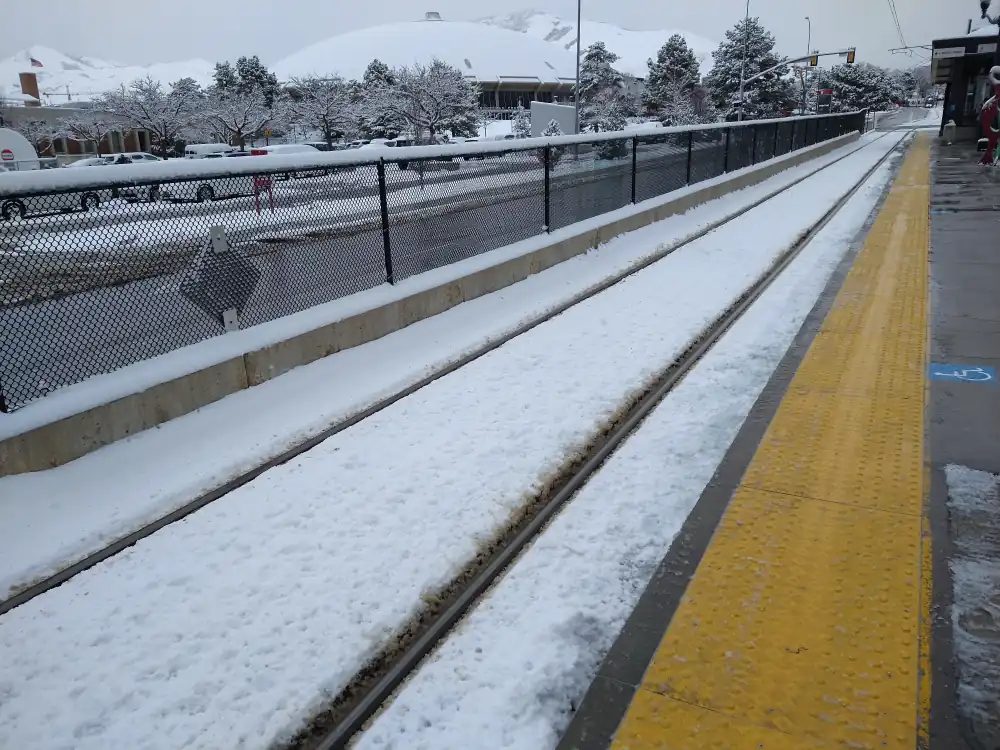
(139, 31)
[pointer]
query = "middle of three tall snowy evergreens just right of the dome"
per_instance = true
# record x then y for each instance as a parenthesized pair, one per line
(671, 81)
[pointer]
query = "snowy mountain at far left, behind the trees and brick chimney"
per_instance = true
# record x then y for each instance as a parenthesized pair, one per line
(87, 77)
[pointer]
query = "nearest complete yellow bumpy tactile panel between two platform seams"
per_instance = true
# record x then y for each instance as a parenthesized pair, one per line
(802, 619)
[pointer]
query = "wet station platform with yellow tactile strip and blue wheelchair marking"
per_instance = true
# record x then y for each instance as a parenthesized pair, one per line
(795, 608)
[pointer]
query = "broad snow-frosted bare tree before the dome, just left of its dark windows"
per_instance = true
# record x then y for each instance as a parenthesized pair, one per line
(428, 98)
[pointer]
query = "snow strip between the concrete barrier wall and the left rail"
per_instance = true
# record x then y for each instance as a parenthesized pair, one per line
(105, 495)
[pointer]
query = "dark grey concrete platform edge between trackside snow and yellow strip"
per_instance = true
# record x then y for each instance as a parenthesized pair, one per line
(603, 707)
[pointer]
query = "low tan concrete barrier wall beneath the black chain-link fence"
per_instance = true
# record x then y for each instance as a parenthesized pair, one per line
(70, 438)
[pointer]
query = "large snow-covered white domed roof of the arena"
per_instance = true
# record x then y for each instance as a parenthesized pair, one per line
(483, 52)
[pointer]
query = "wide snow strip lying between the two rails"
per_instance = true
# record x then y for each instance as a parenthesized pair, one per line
(231, 627)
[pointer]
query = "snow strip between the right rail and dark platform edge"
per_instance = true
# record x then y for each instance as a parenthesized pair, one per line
(510, 673)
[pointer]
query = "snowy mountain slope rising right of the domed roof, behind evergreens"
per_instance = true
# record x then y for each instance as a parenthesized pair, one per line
(633, 47)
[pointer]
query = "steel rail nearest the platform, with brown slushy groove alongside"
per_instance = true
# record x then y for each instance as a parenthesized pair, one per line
(371, 689)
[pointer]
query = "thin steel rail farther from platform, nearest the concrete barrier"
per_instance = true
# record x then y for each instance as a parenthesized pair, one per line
(27, 593)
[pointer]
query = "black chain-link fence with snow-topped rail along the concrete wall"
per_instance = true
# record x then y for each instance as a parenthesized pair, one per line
(104, 266)
